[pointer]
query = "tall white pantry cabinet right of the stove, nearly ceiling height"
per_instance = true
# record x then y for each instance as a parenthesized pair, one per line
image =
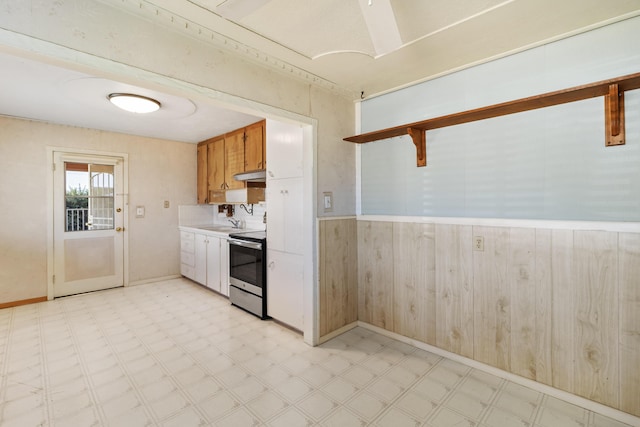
(285, 266)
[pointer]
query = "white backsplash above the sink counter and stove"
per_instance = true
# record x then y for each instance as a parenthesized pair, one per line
(207, 215)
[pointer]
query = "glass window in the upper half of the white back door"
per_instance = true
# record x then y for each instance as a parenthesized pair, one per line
(89, 197)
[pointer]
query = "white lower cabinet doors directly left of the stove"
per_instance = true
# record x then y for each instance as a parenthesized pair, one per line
(211, 259)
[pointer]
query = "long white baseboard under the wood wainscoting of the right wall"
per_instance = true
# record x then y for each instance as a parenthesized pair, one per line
(599, 408)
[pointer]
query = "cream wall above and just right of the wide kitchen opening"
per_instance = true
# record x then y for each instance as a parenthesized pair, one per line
(95, 28)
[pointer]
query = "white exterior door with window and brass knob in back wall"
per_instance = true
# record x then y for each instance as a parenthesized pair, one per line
(88, 231)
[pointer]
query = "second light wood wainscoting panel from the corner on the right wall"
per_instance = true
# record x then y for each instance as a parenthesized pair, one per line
(414, 312)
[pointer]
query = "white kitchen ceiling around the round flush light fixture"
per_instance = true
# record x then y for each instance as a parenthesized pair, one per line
(39, 91)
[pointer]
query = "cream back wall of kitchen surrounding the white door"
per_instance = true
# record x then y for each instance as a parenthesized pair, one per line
(158, 170)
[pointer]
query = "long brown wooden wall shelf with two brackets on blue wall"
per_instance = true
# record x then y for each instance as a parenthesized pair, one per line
(612, 90)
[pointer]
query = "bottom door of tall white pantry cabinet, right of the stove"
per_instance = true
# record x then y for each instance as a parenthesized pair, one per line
(285, 273)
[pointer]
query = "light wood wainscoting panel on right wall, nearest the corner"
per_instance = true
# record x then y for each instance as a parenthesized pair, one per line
(375, 273)
